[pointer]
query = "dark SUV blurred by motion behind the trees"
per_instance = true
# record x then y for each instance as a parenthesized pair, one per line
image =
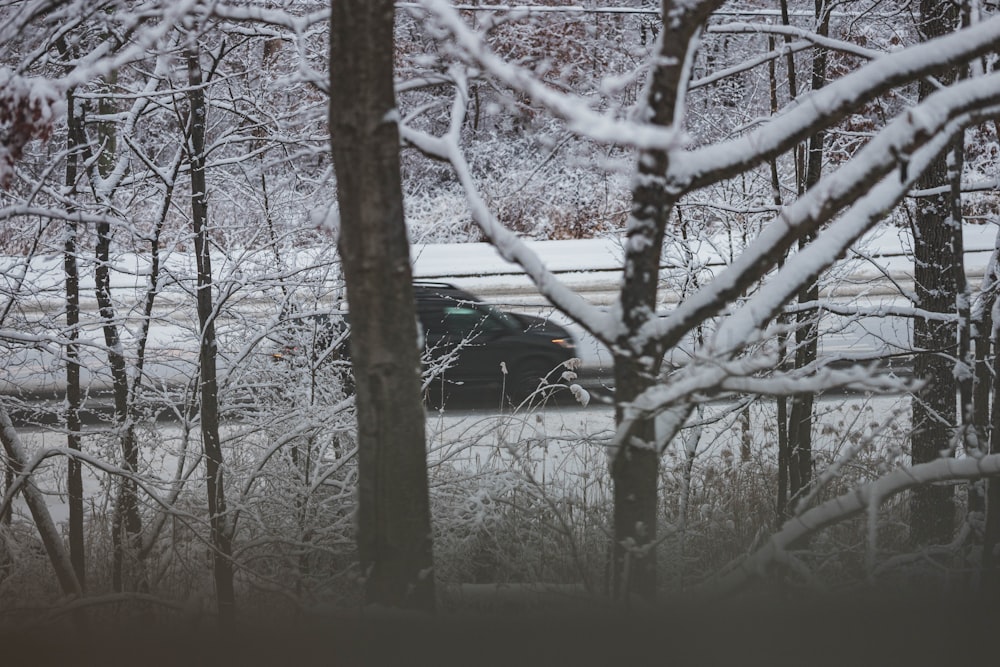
(469, 345)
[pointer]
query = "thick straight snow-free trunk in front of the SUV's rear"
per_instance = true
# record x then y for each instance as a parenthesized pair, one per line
(394, 532)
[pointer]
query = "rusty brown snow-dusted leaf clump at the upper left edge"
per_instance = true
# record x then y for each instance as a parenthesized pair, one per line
(27, 111)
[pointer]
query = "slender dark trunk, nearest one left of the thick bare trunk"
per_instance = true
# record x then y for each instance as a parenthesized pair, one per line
(221, 533)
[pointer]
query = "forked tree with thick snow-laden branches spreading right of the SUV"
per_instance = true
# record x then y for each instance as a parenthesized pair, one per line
(835, 212)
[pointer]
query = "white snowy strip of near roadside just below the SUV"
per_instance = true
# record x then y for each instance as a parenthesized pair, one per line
(563, 447)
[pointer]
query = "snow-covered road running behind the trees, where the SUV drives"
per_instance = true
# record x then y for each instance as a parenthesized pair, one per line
(876, 274)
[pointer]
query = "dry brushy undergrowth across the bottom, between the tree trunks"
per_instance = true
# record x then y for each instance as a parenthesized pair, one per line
(520, 500)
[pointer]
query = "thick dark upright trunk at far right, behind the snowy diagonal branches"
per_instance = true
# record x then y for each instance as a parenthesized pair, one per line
(937, 244)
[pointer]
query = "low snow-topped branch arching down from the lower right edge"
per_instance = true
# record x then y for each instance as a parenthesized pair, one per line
(864, 498)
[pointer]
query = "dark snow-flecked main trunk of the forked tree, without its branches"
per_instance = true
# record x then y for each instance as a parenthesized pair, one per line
(635, 466)
